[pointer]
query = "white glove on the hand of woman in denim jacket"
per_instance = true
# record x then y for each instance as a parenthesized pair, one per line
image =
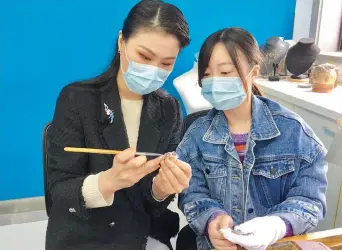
(257, 233)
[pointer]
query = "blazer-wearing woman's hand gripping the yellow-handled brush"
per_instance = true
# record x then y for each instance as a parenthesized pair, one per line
(126, 171)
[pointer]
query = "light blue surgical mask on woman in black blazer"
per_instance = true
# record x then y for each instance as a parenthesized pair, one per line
(142, 78)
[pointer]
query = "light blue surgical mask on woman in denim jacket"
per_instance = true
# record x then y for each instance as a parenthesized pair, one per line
(224, 93)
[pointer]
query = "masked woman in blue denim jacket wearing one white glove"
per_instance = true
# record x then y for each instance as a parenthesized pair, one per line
(257, 167)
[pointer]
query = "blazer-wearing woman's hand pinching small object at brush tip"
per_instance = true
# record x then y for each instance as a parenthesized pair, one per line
(173, 177)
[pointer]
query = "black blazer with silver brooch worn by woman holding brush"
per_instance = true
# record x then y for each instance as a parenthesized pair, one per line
(80, 120)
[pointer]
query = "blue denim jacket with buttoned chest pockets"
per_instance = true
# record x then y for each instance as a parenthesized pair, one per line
(284, 171)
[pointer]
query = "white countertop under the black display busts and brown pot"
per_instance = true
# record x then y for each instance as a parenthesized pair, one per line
(326, 104)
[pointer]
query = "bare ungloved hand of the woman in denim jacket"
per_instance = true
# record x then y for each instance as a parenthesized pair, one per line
(216, 237)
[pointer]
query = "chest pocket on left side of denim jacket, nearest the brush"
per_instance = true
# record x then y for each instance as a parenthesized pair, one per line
(216, 176)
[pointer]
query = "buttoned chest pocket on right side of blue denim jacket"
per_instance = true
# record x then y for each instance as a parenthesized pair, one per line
(270, 180)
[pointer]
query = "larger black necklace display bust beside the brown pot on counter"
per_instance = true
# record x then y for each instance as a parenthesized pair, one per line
(300, 58)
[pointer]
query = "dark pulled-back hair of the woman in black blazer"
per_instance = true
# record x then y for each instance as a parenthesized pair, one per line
(152, 15)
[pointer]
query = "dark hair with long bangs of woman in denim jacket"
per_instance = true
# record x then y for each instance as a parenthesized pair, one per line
(234, 39)
